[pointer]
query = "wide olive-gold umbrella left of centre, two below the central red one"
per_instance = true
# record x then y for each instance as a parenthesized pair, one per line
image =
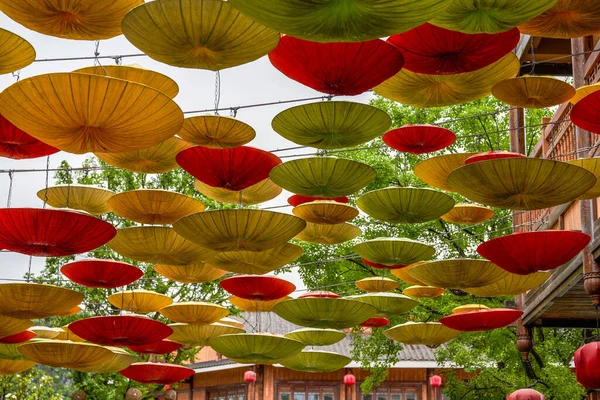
(241, 229)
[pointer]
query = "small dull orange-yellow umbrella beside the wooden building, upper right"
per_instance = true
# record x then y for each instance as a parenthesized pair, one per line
(533, 91)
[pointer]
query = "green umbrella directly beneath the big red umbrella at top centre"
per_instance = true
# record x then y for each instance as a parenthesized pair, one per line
(331, 124)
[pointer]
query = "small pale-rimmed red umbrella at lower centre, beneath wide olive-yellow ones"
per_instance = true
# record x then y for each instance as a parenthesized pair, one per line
(258, 287)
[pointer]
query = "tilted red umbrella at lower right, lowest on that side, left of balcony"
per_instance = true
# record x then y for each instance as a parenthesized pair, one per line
(481, 320)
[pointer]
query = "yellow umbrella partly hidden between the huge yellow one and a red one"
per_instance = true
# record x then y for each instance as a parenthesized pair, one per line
(156, 159)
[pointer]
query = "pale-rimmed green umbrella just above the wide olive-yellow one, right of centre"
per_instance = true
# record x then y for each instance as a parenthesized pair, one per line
(394, 251)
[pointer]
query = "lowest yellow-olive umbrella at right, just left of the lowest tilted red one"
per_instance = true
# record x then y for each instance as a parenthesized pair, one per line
(421, 333)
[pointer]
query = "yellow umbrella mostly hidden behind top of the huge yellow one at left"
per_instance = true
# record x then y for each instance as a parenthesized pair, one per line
(137, 74)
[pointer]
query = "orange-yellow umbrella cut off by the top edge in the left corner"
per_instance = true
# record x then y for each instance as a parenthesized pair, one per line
(71, 19)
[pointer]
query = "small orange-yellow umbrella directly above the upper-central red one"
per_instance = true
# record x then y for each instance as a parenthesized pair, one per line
(216, 132)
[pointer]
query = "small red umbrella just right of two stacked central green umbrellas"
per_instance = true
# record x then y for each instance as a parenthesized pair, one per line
(419, 139)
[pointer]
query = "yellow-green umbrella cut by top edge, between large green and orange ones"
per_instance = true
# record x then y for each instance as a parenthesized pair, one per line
(488, 16)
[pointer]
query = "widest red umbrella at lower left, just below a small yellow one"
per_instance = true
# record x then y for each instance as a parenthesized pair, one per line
(121, 330)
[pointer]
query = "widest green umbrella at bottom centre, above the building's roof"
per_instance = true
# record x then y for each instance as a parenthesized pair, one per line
(256, 348)
